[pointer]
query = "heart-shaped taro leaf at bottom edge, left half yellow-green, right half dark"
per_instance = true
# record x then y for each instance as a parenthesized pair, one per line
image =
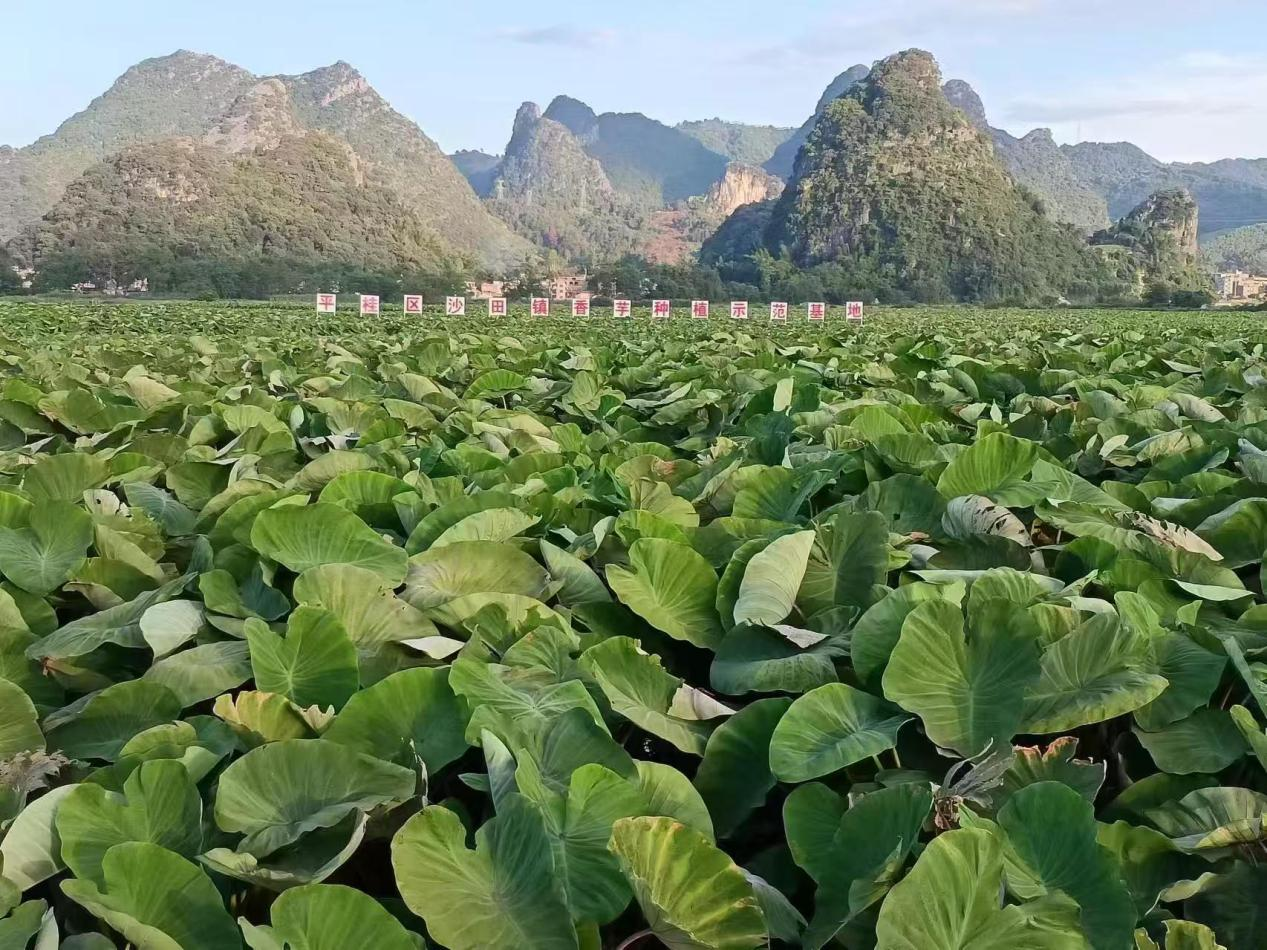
(506, 892)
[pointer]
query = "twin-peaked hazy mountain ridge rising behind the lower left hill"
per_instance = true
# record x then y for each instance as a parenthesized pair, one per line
(189, 96)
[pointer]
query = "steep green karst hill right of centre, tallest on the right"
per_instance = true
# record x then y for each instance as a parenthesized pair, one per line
(899, 187)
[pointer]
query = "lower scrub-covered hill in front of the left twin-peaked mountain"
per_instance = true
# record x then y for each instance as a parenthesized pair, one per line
(192, 218)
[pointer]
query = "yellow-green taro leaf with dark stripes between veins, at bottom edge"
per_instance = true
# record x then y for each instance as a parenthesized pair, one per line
(692, 895)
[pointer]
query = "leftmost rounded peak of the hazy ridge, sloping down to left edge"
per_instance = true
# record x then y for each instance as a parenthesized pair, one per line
(183, 94)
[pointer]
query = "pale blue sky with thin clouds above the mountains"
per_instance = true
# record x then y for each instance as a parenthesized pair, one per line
(1184, 80)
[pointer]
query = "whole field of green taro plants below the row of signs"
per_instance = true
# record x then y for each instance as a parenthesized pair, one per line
(945, 633)
